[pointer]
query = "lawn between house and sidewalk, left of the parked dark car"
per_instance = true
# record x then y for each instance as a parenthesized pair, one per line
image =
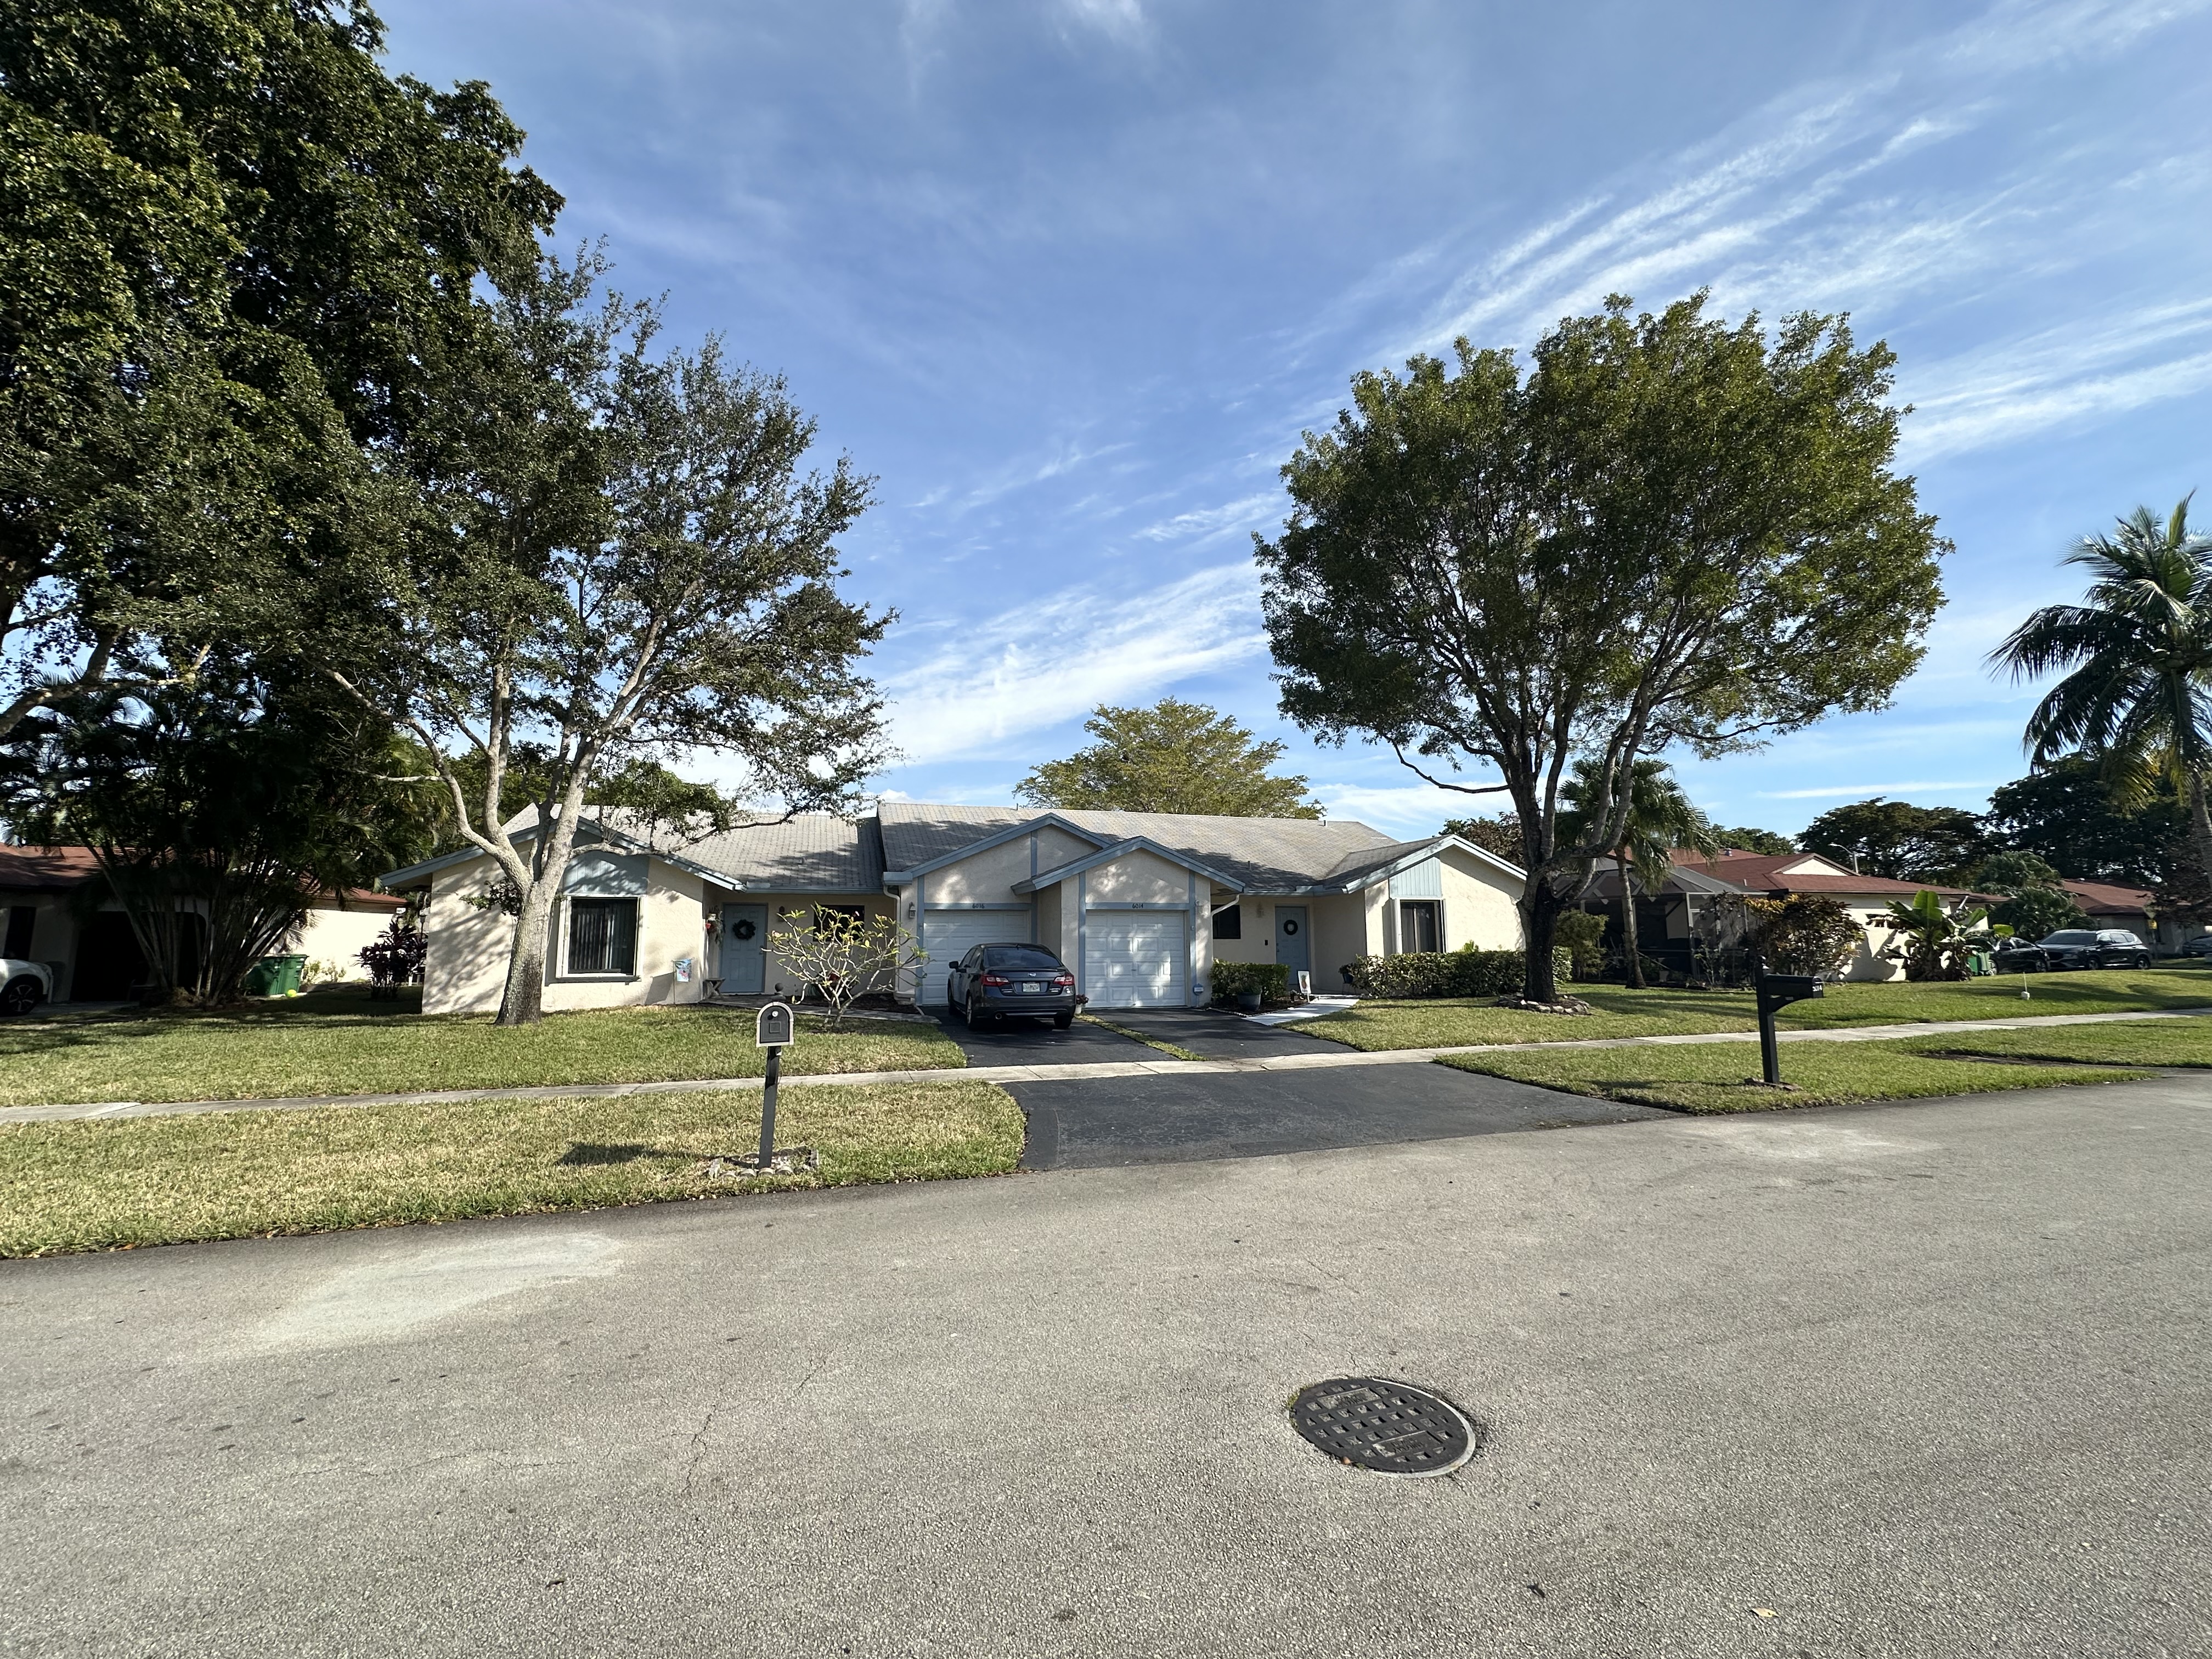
(340, 1043)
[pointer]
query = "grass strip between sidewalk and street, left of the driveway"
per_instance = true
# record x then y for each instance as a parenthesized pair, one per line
(247, 1173)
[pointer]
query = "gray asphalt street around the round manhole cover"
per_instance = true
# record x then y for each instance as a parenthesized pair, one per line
(1921, 1379)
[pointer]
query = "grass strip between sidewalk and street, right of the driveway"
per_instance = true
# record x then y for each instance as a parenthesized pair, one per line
(1724, 1078)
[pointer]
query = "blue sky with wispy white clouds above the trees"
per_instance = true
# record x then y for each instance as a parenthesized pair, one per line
(1070, 278)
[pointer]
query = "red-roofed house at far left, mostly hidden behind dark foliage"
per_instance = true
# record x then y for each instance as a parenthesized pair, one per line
(59, 910)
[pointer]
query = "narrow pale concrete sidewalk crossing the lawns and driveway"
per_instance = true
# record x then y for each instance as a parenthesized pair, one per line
(1061, 1074)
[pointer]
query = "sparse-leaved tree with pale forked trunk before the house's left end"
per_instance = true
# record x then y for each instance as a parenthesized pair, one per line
(620, 559)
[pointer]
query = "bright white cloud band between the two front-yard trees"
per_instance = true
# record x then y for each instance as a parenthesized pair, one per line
(1058, 656)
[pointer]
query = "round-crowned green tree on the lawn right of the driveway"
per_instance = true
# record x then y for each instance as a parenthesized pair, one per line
(1665, 532)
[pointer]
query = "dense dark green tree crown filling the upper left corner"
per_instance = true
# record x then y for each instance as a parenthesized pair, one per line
(233, 251)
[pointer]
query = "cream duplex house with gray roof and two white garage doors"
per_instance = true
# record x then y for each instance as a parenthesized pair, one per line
(1138, 904)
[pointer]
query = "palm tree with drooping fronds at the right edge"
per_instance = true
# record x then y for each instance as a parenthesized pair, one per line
(2140, 649)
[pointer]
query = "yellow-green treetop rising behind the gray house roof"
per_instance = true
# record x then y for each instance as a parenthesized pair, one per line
(1171, 758)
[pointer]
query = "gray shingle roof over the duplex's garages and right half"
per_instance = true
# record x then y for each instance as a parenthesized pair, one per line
(1266, 855)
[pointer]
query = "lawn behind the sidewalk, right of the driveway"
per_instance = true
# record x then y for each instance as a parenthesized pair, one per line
(1649, 1014)
